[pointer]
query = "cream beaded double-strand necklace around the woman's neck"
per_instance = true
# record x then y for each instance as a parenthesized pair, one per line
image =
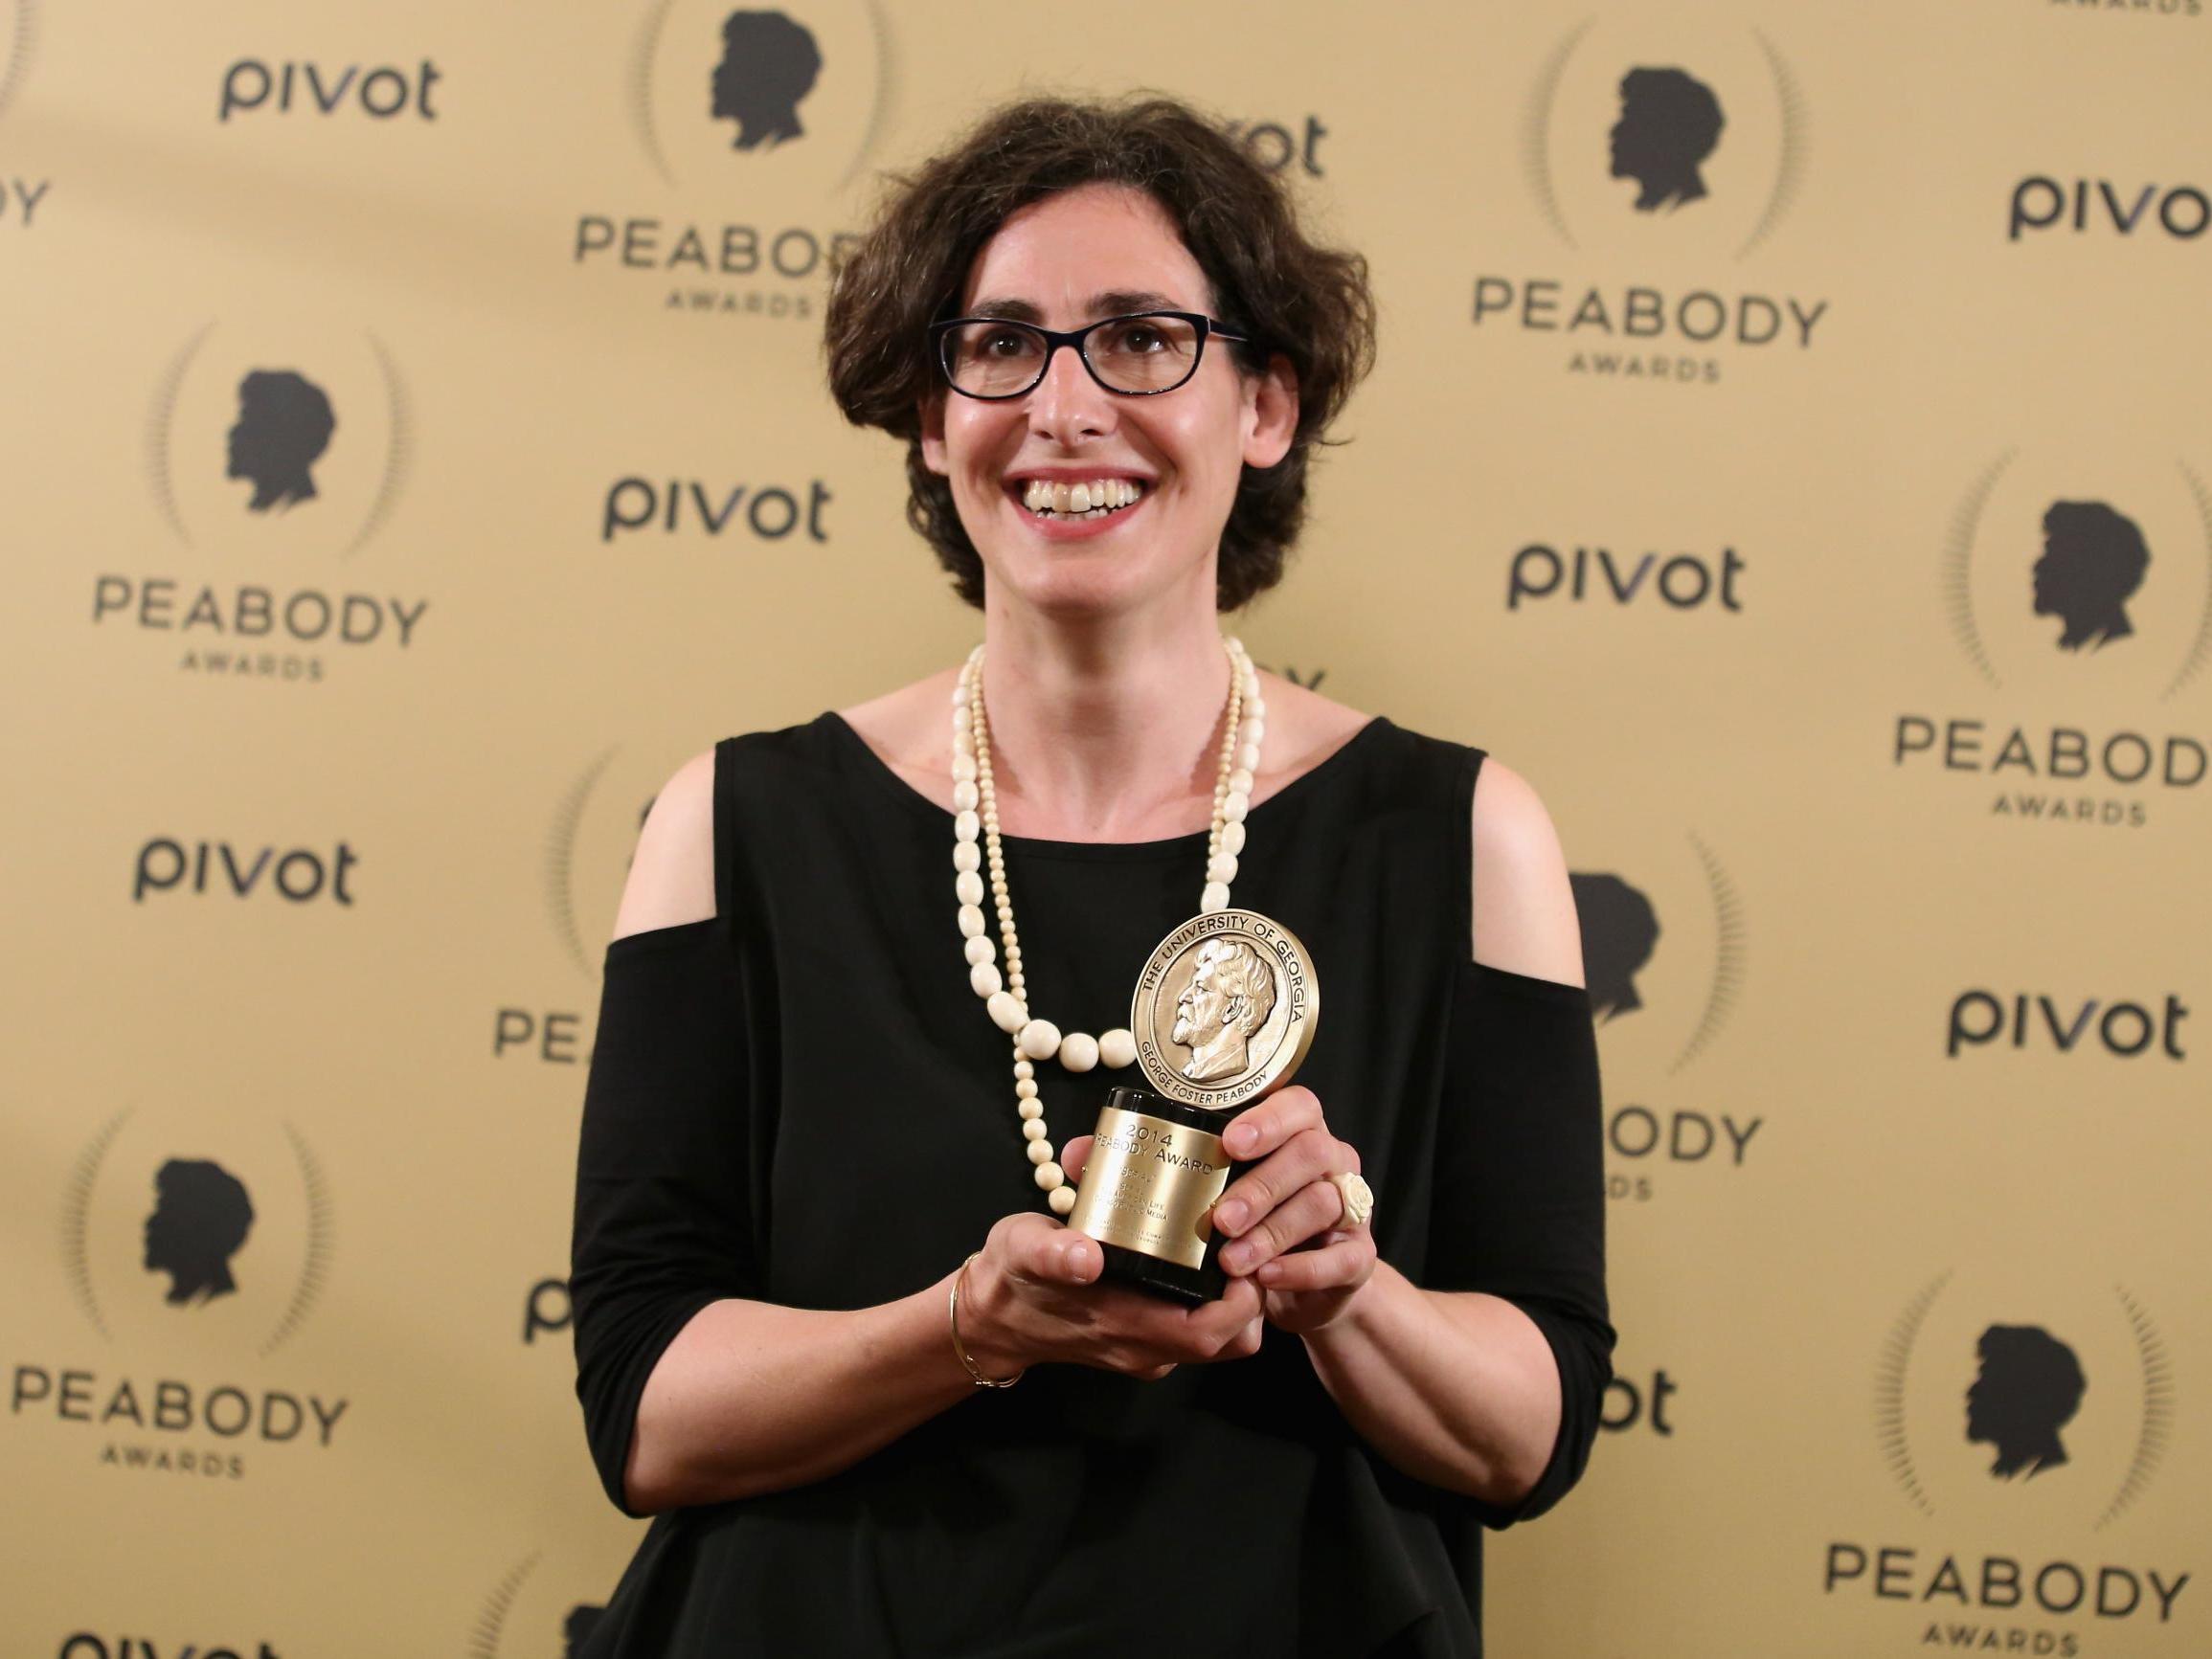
(1008, 1001)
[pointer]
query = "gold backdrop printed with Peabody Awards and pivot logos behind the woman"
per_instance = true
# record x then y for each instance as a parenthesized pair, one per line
(1791, 450)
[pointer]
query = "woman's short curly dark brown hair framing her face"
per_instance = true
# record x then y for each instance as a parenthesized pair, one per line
(1300, 300)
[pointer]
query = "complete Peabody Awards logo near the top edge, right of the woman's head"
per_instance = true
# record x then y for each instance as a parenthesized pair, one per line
(1662, 152)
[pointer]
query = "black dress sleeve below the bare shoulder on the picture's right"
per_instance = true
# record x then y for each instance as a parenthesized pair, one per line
(1521, 1204)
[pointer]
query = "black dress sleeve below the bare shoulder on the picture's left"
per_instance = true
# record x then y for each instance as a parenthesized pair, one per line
(662, 1185)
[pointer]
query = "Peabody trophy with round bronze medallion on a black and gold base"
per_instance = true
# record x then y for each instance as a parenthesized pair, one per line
(1224, 1014)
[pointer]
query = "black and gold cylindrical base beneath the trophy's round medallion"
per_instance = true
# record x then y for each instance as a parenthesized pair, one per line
(1147, 1196)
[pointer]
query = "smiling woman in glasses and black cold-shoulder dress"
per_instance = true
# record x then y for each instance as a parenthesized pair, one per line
(808, 1227)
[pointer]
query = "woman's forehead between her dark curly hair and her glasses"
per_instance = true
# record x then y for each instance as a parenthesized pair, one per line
(1085, 253)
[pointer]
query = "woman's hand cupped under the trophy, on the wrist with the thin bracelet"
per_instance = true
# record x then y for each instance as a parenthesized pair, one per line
(1034, 1295)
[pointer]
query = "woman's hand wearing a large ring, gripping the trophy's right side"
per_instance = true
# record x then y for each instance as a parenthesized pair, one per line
(1284, 1202)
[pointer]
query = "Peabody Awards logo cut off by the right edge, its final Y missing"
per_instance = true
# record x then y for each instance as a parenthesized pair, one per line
(2080, 589)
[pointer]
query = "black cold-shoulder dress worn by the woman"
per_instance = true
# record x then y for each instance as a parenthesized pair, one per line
(804, 1103)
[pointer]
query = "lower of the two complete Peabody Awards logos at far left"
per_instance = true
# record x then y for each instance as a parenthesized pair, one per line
(189, 1235)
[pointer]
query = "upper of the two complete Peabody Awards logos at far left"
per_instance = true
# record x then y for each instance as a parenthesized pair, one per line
(275, 455)
